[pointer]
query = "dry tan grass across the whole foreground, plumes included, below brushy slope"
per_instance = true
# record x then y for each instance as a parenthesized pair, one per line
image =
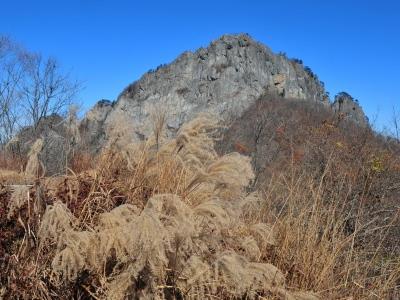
(172, 219)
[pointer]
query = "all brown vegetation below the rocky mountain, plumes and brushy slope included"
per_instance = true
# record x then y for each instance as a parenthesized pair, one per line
(190, 217)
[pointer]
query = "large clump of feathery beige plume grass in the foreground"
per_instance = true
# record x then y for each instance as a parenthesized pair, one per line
(163, 218)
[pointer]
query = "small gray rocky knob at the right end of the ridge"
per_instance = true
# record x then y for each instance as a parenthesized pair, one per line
(349, 109)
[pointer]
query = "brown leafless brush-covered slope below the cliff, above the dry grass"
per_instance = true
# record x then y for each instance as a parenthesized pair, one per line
(358, 166)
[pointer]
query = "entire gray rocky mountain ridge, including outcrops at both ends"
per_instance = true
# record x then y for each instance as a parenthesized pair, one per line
(226, 78)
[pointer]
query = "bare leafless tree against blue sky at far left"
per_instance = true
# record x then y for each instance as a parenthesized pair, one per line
(32, 87)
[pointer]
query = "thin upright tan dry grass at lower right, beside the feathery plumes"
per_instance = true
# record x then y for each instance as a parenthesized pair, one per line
(324, 246)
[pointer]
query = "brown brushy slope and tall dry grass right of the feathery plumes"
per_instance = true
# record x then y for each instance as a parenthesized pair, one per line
(331, 190)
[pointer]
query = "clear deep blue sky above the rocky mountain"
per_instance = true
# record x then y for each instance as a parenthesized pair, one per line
(351, 45)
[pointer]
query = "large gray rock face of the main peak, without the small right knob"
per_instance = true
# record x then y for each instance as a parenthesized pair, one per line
(224, 78)
